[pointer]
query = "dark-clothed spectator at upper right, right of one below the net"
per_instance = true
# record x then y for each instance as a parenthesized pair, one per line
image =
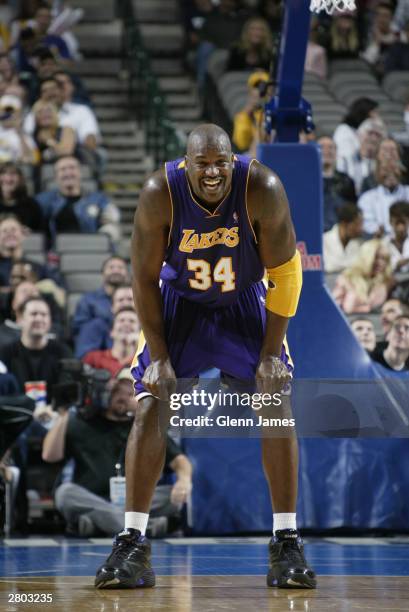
(380, 37)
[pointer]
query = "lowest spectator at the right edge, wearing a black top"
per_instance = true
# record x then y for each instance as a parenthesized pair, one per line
(396, 354)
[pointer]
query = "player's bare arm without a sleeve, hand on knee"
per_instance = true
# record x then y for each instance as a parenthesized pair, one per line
(149, 241)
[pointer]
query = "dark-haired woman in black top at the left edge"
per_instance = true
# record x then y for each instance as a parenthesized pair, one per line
(14, 198)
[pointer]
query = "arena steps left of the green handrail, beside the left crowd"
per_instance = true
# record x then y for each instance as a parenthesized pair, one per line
(101, 44)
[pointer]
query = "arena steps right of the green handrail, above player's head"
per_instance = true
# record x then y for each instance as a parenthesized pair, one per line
(163, 37)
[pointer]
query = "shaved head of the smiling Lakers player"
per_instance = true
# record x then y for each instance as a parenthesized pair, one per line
(209, 164)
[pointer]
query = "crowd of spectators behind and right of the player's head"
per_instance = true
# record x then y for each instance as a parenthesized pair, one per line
(365, 179)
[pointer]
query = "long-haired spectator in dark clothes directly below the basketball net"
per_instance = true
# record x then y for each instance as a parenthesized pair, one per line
(344, 38)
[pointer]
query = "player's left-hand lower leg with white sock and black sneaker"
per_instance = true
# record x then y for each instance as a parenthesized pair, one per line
(128, 565)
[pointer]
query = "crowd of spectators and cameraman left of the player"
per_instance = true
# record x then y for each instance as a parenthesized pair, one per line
(51, 164)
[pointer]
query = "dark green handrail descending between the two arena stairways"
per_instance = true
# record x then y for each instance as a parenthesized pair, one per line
(146, 97)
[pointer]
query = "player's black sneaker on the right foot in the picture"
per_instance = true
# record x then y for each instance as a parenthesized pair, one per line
(288, 567)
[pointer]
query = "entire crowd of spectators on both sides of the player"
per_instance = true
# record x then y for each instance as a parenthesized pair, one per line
(49, 136)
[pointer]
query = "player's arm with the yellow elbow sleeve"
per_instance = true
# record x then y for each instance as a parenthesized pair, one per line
(270, 217)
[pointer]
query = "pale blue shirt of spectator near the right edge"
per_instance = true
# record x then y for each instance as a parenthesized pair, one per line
(375, 205)
